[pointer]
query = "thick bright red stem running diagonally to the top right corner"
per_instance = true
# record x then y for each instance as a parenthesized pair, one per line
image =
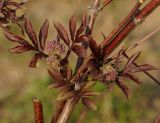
(153, 4)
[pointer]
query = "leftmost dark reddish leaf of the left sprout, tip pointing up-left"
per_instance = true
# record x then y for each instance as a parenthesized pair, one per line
(12, 37)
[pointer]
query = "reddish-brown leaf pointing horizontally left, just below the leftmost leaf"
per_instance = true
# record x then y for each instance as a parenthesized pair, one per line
(20, 49)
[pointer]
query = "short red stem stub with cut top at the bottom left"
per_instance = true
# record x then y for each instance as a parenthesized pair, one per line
(38, 110)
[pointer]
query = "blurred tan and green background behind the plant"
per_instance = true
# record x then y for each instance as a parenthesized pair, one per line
(18, 83)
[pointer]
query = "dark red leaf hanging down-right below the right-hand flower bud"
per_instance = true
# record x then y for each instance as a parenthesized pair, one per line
(123, 87)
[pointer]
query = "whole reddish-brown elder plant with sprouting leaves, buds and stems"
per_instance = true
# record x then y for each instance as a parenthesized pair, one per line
(92, 67)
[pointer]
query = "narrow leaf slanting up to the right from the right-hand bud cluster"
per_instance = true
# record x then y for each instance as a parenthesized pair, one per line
(131, 61)
